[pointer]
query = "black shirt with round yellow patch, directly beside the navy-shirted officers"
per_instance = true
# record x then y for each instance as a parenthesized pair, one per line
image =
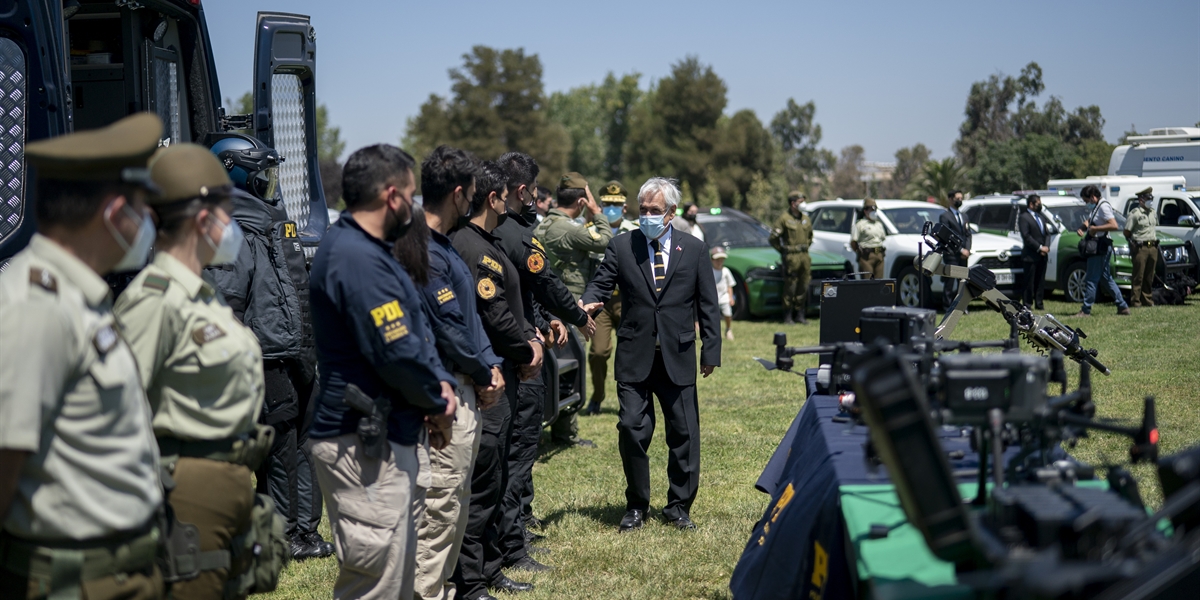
(499, 292)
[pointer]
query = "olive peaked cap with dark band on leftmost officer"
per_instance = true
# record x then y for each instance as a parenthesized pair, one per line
(117, 153)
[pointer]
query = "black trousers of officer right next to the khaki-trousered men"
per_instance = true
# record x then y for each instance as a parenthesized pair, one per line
(481, 560)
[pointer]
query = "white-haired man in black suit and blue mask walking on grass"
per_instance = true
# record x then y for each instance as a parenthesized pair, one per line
(667, 286)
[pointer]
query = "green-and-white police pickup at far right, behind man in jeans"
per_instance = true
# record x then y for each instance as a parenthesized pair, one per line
(1066, 269)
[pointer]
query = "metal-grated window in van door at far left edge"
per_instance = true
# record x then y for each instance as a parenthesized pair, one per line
(13, 136)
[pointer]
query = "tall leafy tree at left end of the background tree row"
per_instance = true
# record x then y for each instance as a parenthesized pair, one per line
(496, 105)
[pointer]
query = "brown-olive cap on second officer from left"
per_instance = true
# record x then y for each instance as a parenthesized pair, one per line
(188, 171)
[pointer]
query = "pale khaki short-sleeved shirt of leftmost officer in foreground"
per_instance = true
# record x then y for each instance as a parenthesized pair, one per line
(70, 395)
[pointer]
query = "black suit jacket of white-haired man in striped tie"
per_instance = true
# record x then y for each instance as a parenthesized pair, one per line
(689, 293)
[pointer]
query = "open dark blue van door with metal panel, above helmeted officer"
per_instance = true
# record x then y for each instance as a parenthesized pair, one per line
(286, 116)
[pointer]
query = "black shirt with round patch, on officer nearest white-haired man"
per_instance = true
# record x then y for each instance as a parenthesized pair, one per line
(538, 280)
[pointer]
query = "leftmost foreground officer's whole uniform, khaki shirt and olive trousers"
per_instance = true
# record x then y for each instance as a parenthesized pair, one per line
(71, 397)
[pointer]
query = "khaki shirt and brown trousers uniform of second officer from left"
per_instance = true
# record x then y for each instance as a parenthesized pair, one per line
(203, 373)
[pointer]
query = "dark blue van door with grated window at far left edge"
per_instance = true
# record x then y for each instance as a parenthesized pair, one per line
(33, 106)
